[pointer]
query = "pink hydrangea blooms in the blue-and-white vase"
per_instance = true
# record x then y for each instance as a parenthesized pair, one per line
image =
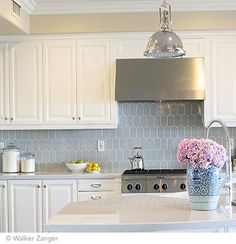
(201, 153)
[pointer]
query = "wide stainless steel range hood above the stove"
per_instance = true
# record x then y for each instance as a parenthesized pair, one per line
(151, 79)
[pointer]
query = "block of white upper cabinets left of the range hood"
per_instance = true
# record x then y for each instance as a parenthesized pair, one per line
(57, 84)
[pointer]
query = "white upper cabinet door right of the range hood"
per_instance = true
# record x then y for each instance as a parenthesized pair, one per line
(223, 80)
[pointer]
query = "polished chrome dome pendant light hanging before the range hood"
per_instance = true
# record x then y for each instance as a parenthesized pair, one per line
(164, 43)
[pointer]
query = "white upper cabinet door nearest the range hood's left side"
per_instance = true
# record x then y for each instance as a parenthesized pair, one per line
(94, 86)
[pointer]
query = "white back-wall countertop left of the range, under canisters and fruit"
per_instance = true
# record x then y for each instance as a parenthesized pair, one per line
(57, 175)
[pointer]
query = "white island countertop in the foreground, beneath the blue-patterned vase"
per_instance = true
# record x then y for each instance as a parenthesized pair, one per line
(140, 213)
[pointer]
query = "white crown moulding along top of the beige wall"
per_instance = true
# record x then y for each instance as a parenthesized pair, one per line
(35, 7)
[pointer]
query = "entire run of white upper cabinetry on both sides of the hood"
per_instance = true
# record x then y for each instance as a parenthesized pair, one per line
(68, 82)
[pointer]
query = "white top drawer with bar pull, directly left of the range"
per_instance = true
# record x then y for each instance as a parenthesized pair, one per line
(97, 185)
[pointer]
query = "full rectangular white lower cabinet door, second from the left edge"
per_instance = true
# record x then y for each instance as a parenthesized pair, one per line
(25, 205)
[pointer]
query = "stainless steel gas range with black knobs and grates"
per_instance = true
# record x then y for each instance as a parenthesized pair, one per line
(153, 181)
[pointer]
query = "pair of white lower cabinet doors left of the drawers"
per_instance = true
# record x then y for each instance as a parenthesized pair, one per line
(33, 202)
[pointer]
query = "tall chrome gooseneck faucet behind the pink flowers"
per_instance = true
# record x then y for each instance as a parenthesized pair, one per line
(228, 182)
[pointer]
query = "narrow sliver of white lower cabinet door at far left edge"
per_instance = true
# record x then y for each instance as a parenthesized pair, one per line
(3, 207)
